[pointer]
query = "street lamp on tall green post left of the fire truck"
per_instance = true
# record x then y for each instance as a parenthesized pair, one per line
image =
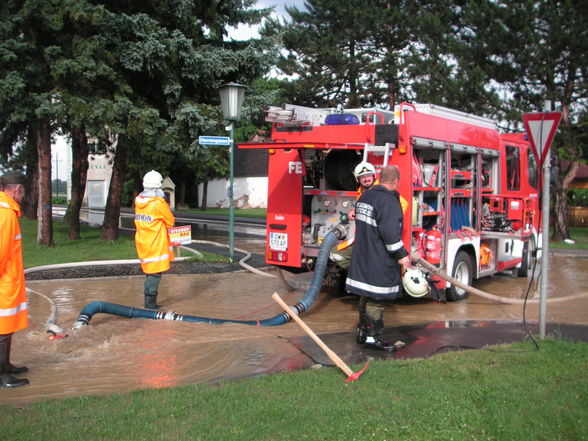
(231, 95)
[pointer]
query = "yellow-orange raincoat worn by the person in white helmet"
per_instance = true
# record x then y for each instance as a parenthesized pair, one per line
(152, 219)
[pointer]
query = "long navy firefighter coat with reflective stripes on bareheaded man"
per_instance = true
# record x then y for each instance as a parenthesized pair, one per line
(374, 269)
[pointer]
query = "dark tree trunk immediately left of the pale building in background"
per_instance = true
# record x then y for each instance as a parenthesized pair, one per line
(79, 174)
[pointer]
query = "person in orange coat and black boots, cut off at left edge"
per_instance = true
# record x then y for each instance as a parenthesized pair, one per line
(13, 300)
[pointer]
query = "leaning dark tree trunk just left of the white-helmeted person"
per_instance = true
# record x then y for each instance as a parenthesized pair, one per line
(112, 211)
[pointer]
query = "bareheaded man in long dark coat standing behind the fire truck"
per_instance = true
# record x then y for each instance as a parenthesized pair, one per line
(379, 257)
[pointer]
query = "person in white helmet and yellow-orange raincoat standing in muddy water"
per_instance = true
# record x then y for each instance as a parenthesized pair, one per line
(152, 219)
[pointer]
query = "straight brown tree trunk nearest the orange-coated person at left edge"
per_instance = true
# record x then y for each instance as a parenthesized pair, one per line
(45, 216)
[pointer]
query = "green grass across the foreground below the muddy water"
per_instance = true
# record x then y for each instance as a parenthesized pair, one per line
(509, 393)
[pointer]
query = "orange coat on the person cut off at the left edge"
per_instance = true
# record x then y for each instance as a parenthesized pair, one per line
(13, 298)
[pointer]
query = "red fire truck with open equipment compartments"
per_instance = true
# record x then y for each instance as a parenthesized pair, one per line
(473, 192)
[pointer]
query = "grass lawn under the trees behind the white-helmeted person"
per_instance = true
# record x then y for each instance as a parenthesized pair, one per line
(88, 248)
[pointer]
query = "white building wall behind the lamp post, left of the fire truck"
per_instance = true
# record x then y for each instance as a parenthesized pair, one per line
(247, 193)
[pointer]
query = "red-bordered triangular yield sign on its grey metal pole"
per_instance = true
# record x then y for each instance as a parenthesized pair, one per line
(541, 128)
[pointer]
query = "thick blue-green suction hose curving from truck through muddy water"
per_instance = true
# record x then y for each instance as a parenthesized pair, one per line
(305, 304)
